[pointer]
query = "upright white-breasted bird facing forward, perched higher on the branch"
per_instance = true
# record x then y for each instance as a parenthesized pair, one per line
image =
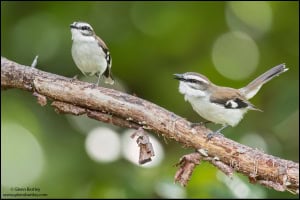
(90, 53)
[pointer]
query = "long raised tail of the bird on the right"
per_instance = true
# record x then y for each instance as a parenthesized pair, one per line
(252, 88)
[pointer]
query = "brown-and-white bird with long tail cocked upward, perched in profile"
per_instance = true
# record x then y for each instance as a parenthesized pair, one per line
(222, 105)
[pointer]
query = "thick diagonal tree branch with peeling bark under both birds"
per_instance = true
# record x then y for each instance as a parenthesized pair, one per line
(111, 106)
